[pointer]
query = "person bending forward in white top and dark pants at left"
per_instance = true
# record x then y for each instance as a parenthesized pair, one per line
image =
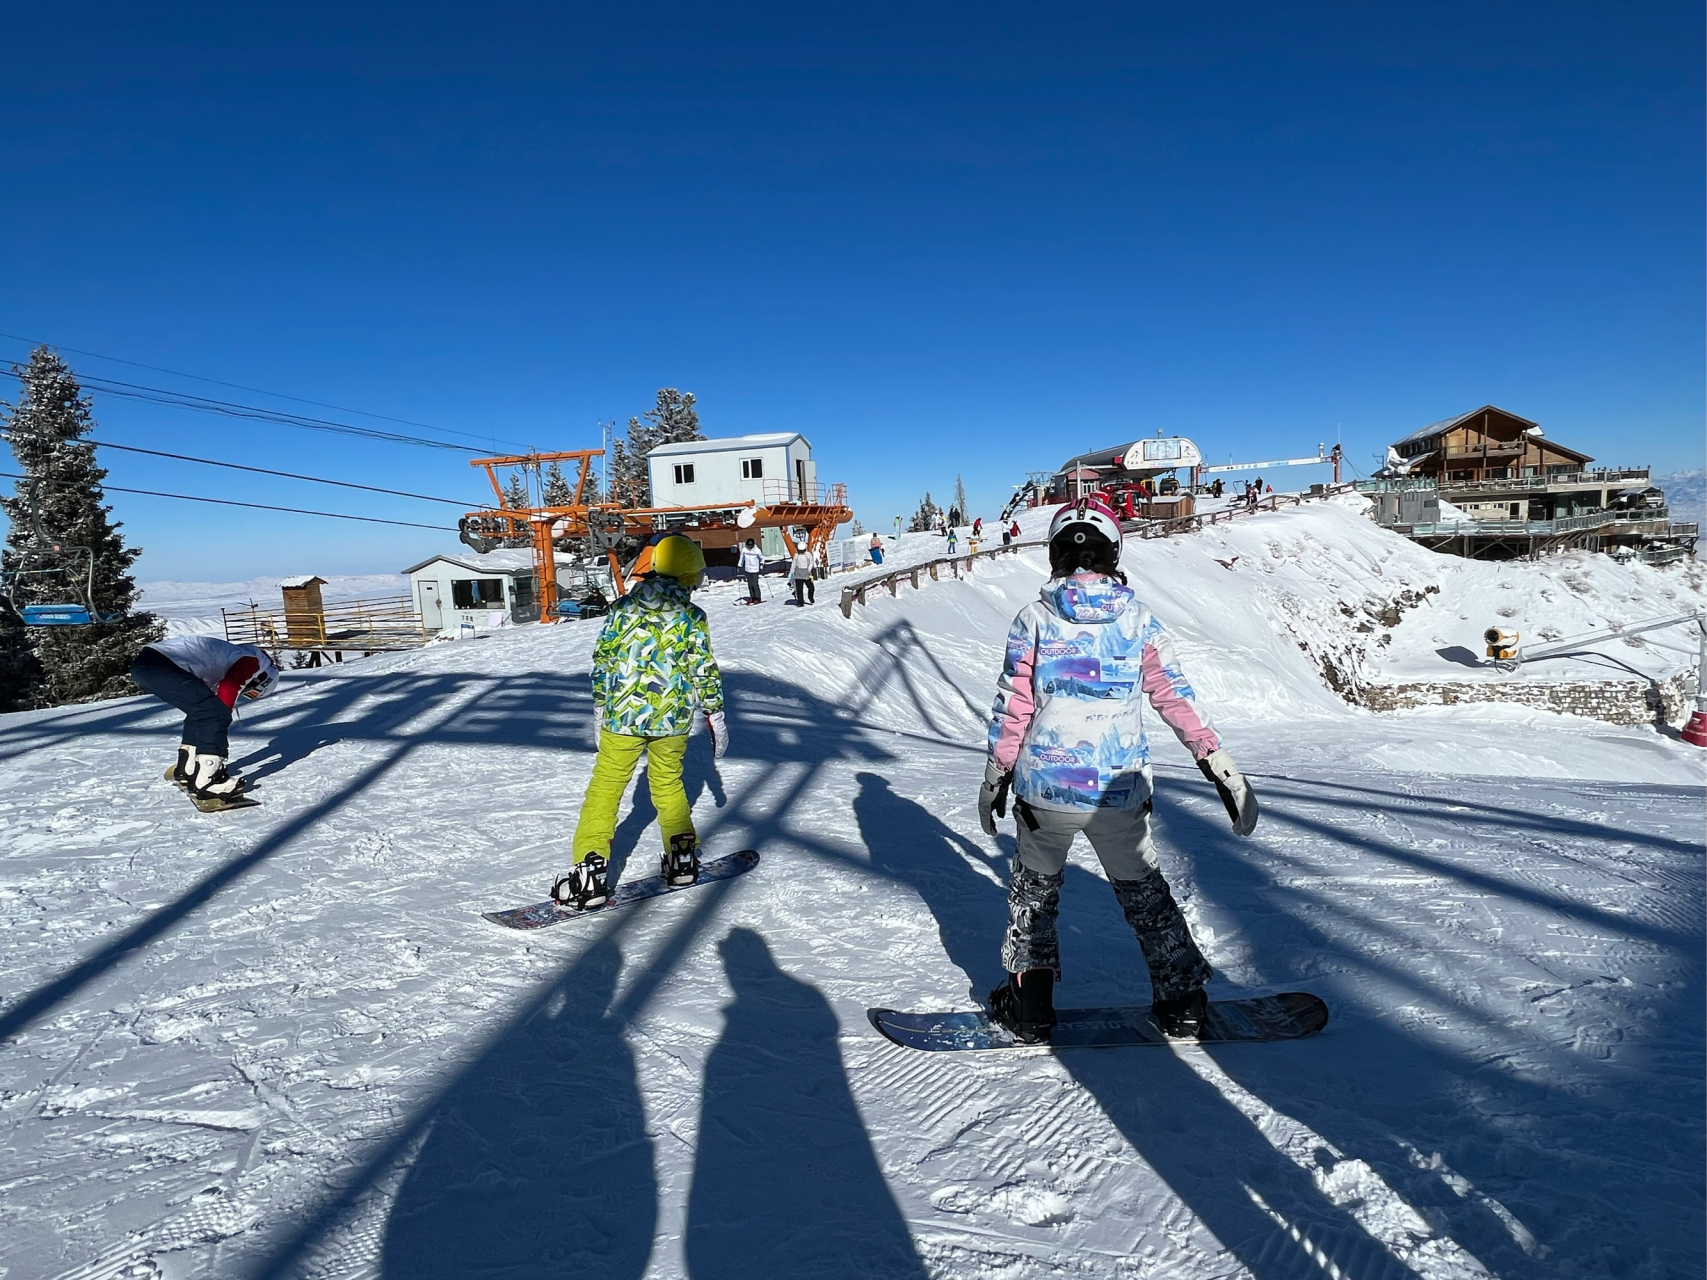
(204, 677)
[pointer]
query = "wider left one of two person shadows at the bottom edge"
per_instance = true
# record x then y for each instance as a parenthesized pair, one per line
(537, 1161)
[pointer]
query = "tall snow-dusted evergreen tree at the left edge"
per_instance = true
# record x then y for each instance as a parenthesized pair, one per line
(62, 501)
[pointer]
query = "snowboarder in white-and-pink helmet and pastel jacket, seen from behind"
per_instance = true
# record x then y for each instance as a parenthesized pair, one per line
(1068, 738)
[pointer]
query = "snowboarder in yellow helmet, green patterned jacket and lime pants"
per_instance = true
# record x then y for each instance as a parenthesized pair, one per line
(653, 672)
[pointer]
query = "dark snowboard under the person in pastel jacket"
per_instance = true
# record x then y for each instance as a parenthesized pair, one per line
(1286, 1016)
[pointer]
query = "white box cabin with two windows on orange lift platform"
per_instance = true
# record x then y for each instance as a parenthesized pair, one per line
(769, 468)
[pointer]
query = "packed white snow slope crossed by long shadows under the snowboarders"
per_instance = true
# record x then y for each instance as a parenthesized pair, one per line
(283, 1042)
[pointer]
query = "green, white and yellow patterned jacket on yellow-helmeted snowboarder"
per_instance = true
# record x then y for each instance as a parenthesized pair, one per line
(653, 666)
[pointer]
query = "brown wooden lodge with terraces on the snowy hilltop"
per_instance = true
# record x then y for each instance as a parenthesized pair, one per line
(1522, 494)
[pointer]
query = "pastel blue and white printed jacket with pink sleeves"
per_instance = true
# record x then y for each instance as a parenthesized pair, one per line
(1068, 716)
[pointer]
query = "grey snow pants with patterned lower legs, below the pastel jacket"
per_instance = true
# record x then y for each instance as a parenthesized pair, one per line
(1122, 841)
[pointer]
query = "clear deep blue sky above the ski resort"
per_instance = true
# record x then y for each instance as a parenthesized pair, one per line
(938, 240)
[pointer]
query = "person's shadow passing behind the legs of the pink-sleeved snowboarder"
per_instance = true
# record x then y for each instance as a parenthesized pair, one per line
(1184, 1129)
